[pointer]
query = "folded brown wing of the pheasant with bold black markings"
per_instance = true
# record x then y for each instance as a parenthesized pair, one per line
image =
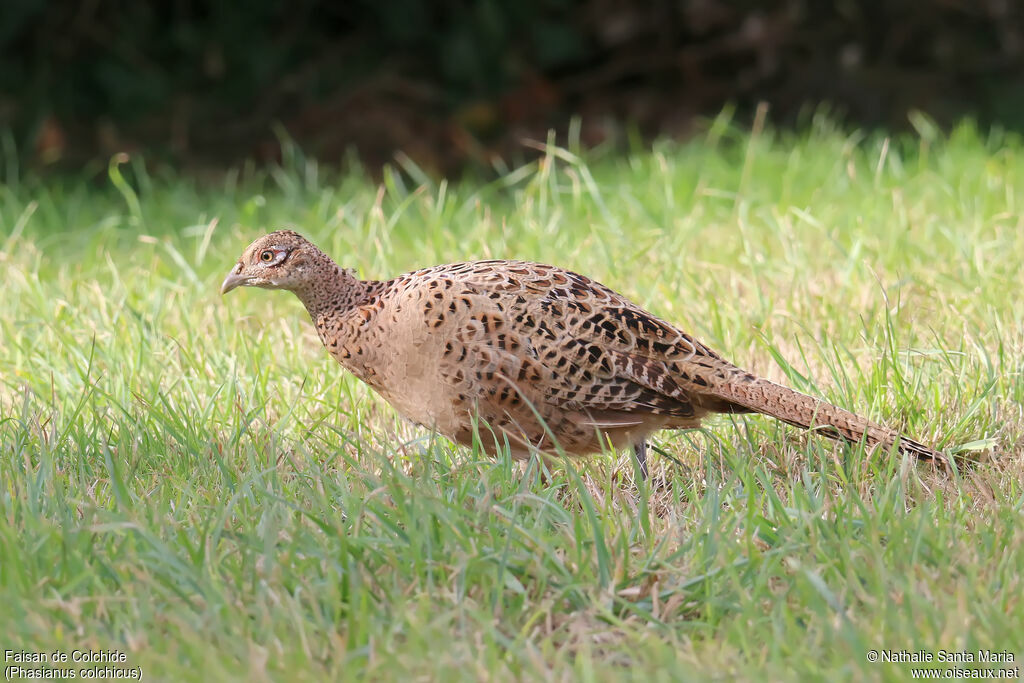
(564, 339)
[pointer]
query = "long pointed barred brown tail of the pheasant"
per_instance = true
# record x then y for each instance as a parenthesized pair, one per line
(797, 409)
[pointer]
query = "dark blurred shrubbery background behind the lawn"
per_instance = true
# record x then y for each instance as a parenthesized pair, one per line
(458, 83)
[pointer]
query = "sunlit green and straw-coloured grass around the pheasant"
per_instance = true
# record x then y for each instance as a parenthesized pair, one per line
(192, 482)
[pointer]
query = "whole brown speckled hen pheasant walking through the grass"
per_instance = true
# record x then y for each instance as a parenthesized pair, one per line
(529, 357)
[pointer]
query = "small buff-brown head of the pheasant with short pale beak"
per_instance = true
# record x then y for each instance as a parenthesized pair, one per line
(281, 261)
